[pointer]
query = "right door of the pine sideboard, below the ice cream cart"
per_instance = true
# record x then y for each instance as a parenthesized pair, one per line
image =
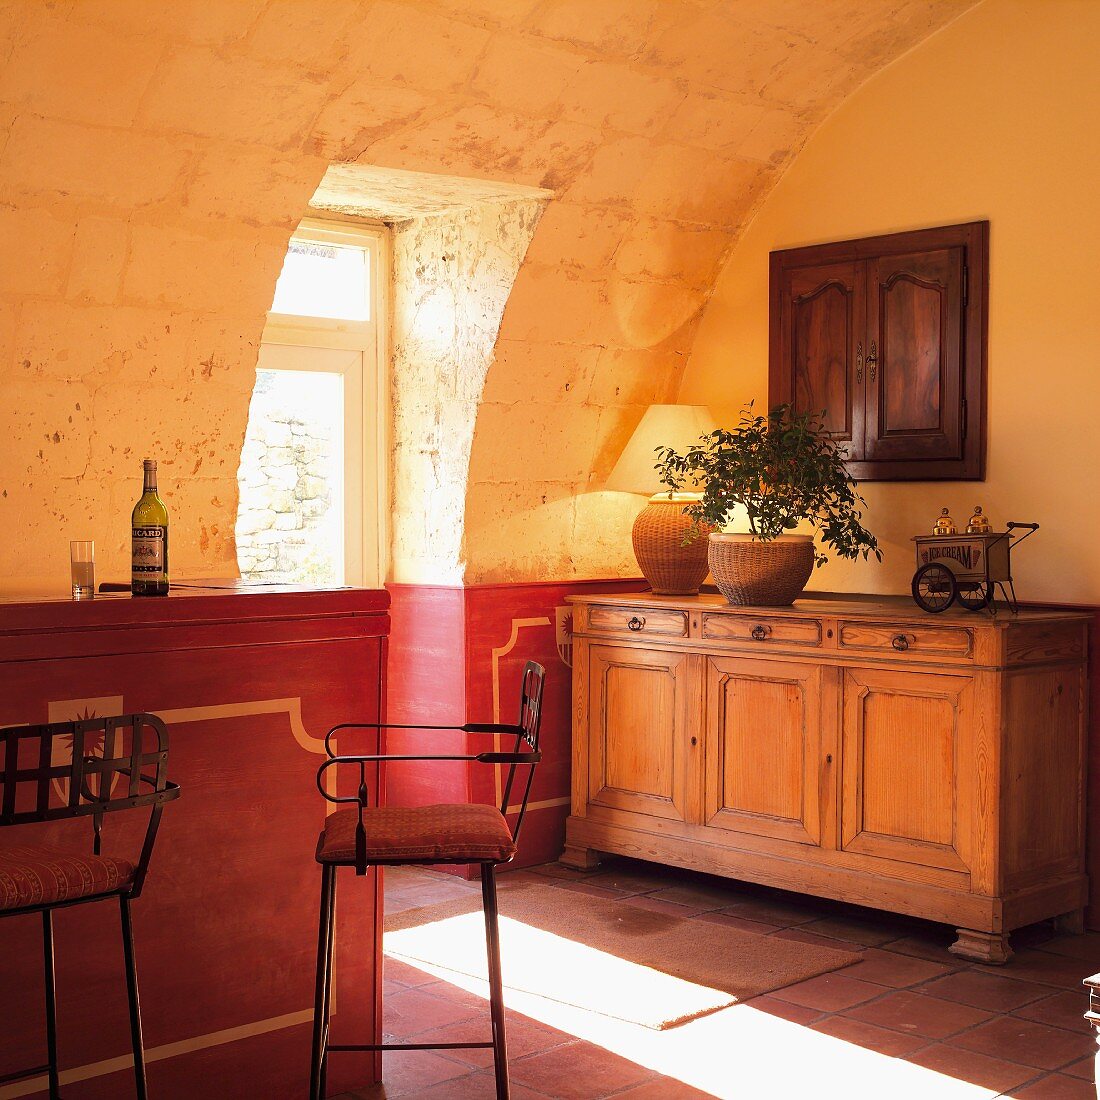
(901, 765)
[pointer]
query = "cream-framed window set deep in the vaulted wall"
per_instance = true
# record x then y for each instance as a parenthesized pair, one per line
(311, 476)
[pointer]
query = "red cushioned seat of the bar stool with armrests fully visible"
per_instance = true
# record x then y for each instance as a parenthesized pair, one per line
(461, 833)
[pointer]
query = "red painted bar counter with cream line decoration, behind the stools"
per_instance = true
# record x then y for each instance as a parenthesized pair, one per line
(226, 929)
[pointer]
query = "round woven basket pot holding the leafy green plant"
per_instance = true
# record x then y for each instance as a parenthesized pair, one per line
(763, 575)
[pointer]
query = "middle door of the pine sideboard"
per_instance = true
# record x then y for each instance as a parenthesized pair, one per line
(764, 749)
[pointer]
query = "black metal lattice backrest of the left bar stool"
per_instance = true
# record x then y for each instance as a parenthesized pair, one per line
(71, 769)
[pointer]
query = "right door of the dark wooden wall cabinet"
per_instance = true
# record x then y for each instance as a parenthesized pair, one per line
(915, 400)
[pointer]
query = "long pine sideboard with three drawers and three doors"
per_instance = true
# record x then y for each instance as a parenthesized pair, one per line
(849, 747)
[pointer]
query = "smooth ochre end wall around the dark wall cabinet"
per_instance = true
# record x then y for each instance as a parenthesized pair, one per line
(995, 118)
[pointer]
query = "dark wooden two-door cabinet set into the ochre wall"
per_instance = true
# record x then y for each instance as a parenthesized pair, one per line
(887, 336)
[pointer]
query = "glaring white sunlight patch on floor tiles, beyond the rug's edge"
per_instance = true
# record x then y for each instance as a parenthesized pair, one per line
(739, 1053)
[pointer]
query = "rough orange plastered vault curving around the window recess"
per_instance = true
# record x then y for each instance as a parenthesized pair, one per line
(156, 158)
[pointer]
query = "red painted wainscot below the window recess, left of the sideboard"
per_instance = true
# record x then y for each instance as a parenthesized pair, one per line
(456, 656)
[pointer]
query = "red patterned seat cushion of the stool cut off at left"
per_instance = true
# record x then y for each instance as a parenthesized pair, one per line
(35, 876)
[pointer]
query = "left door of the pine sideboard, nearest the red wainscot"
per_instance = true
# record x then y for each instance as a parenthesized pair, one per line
(637, 739)
